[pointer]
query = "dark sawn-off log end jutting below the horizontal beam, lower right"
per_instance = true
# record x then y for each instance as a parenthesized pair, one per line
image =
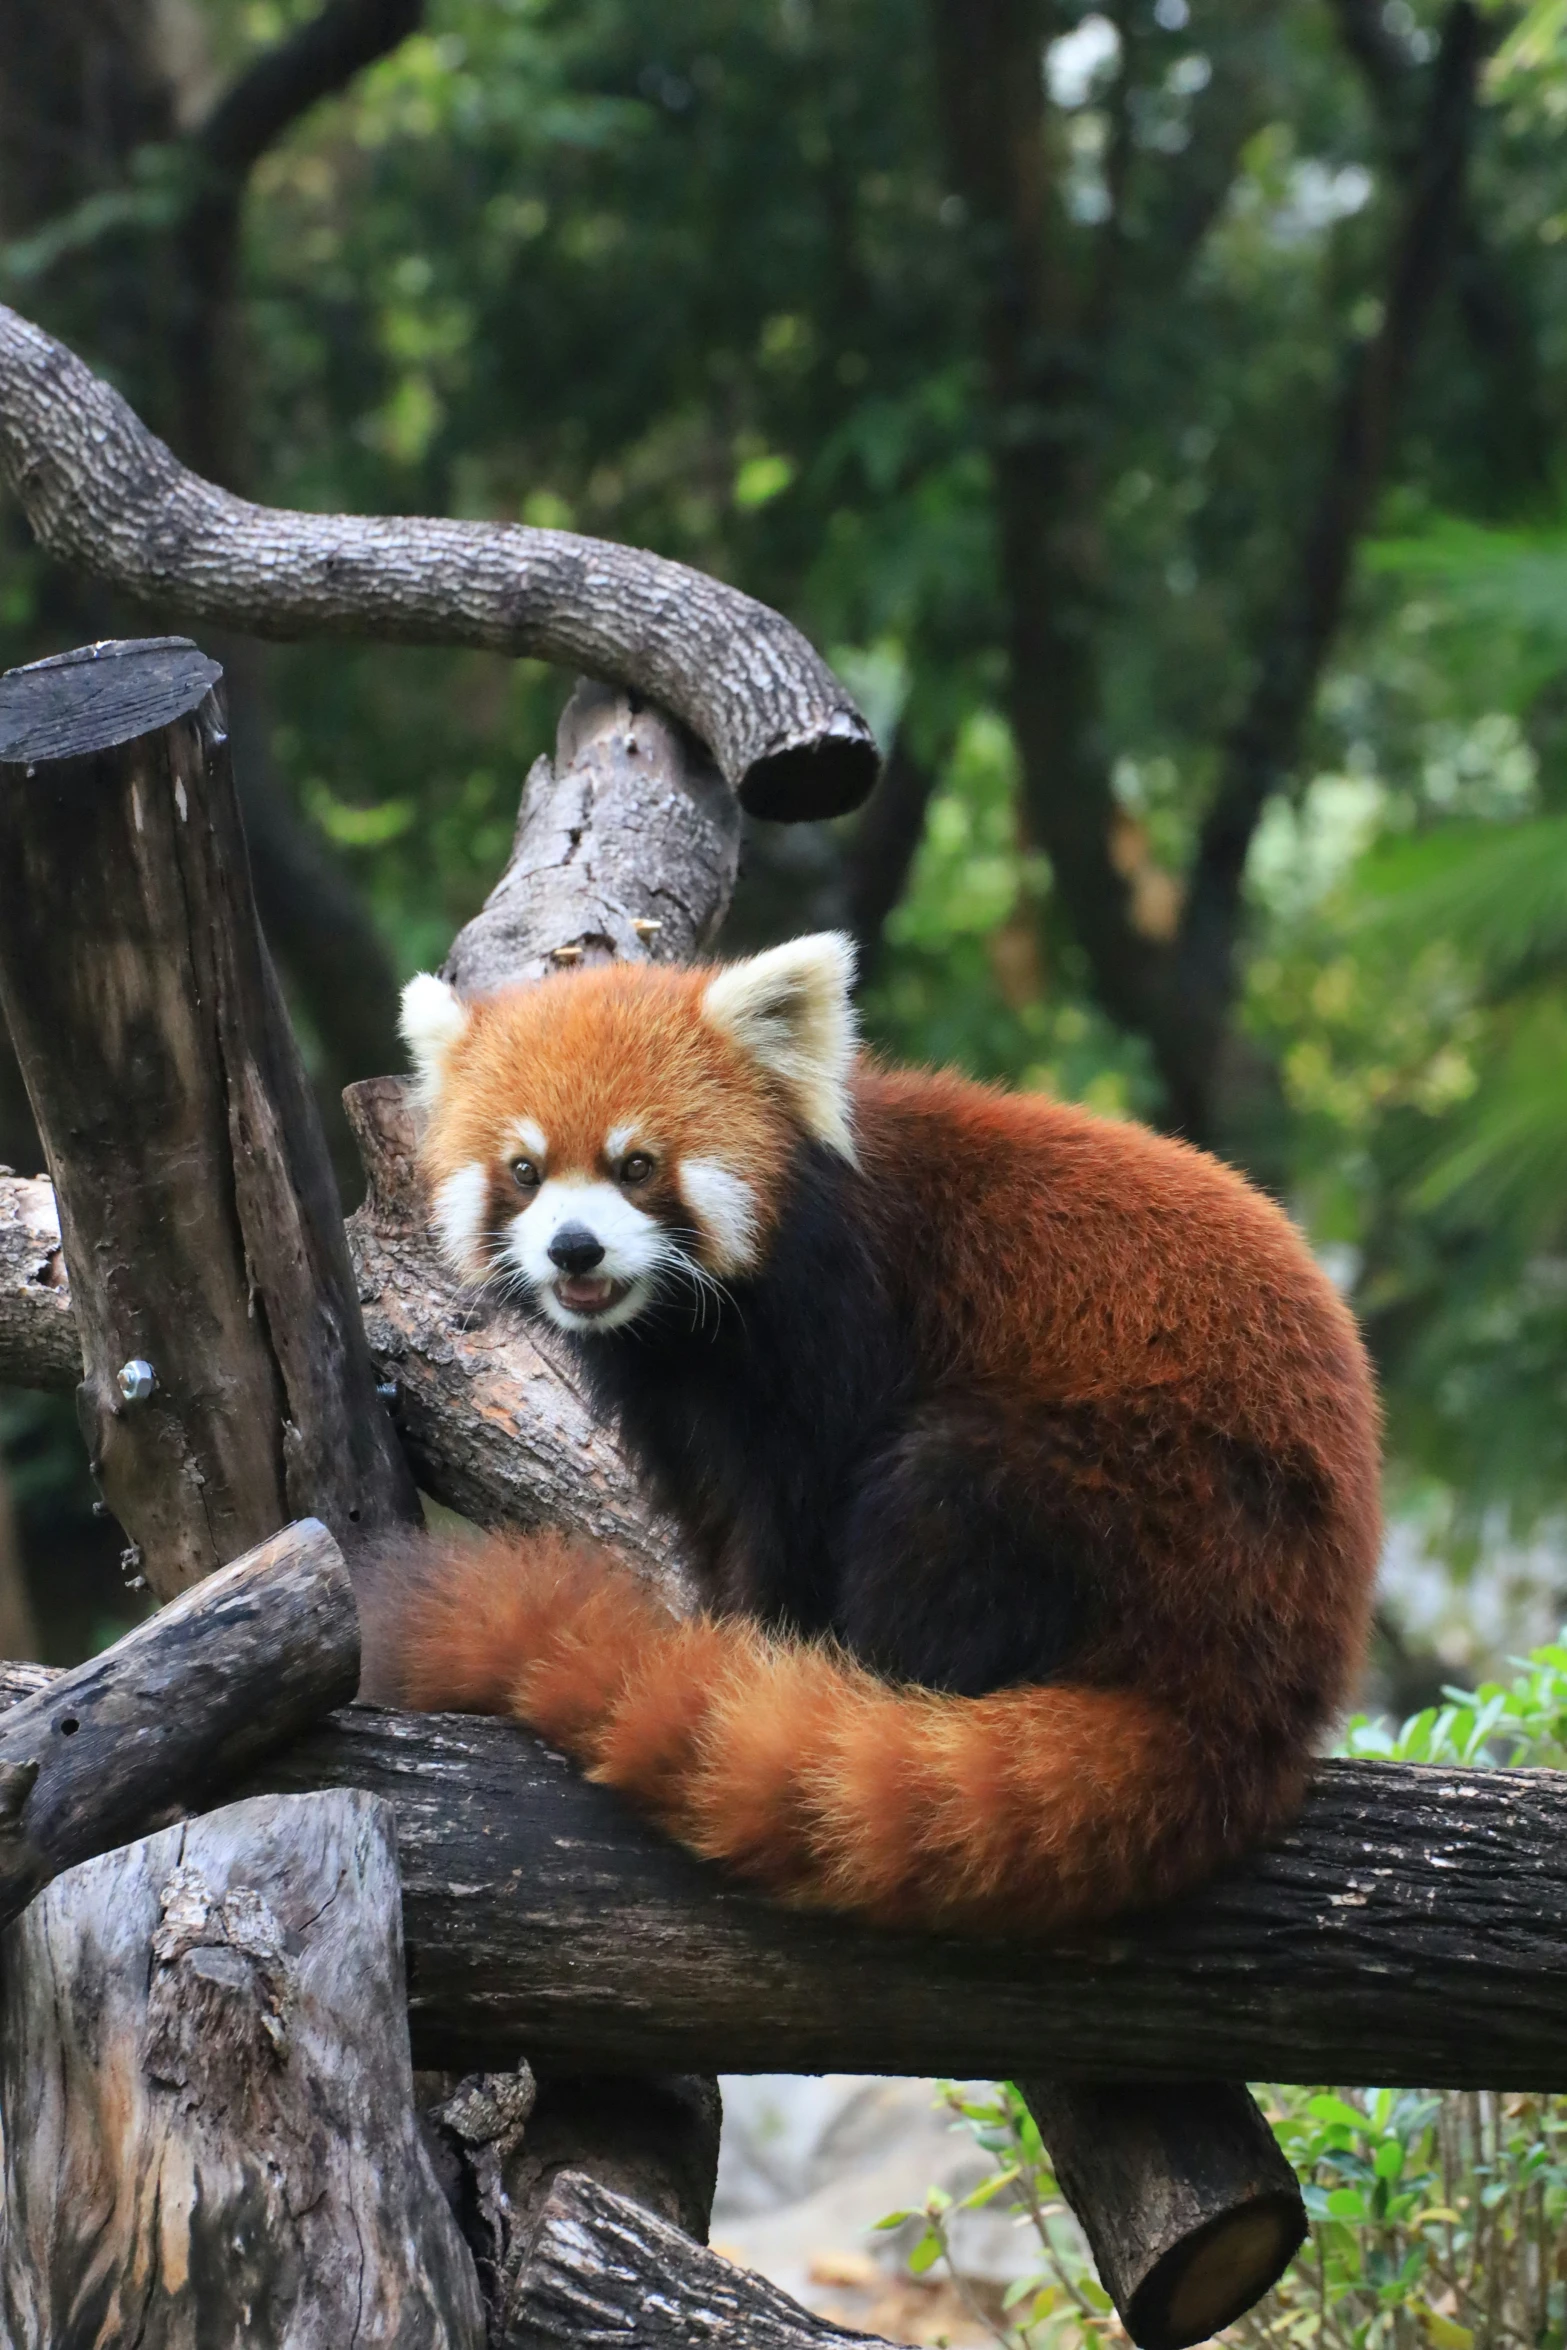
(1188, 2205)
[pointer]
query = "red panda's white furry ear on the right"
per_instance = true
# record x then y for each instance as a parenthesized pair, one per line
(788, 1009)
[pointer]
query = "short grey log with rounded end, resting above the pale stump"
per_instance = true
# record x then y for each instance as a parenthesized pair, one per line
(175, 1710)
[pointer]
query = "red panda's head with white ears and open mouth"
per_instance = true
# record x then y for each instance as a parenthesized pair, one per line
(626, 1132)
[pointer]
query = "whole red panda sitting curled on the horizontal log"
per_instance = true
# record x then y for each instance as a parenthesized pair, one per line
(1025, 1458)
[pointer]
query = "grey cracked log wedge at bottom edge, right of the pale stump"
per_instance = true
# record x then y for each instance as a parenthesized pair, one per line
(607, 2274)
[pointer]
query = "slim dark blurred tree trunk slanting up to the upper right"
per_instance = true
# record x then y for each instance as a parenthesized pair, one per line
(1267, 737)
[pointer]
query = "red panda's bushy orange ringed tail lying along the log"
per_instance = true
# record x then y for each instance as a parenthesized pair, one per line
(786, 1761)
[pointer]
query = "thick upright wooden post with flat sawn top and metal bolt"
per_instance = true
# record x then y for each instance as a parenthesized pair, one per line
(191, 1179)
